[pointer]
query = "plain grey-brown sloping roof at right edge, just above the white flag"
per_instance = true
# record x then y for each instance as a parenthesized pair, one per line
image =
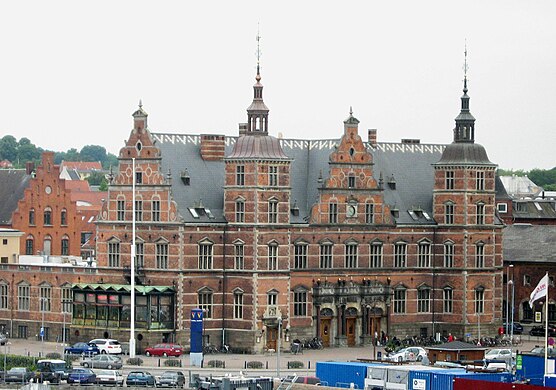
(530, 243)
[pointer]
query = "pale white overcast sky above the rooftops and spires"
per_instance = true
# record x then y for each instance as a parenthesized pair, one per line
(72, 72)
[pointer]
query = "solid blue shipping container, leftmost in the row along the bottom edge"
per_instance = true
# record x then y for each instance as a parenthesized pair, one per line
(341, 374)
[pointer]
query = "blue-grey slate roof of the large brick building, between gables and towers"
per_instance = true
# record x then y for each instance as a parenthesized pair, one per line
(409, 164)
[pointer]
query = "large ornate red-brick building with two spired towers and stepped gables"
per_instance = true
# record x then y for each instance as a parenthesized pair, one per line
(337, 238)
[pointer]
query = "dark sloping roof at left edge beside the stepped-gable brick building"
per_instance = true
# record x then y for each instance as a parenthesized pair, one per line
(14, 182)
